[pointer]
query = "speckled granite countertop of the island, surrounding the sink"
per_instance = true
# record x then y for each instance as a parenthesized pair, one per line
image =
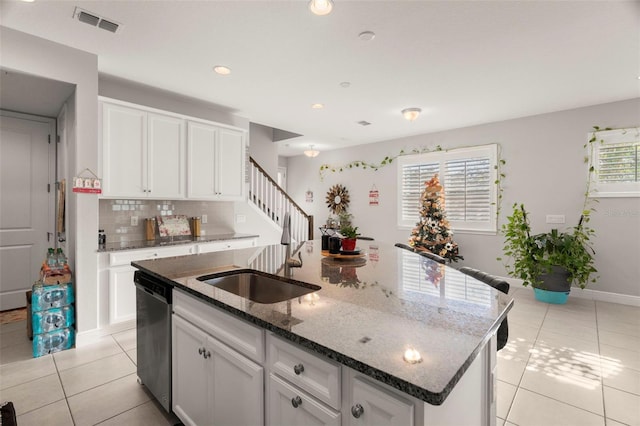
(369, 311)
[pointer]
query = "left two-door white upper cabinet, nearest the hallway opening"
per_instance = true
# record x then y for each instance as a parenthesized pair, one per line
(143, 153)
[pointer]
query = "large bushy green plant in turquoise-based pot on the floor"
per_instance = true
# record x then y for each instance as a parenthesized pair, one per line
(550, 261)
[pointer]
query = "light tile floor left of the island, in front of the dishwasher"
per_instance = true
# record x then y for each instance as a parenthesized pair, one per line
(90, 385)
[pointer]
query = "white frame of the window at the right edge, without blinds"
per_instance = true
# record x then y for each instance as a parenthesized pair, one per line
(605, 138)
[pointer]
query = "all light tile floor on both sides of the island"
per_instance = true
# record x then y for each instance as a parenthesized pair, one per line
(573, 364)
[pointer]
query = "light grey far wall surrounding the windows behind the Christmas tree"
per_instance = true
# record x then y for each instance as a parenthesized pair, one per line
(545, 170)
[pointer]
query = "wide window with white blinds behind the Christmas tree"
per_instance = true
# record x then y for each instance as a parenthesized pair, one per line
(468, 177)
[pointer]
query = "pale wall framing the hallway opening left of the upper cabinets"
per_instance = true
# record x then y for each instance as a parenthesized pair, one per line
(32, 55)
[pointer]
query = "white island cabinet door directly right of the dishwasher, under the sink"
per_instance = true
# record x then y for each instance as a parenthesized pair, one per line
(190, 375)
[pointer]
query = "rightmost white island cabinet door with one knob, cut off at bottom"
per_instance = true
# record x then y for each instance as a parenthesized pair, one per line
(372, 405)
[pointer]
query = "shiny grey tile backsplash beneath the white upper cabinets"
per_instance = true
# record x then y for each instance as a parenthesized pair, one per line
(116, 216)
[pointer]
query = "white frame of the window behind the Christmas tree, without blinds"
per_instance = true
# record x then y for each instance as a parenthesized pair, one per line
(489, 151)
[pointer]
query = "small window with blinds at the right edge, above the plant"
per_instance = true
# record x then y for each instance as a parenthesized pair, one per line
(616, 158)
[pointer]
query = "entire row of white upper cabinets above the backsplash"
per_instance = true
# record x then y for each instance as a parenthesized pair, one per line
(147, 153)
